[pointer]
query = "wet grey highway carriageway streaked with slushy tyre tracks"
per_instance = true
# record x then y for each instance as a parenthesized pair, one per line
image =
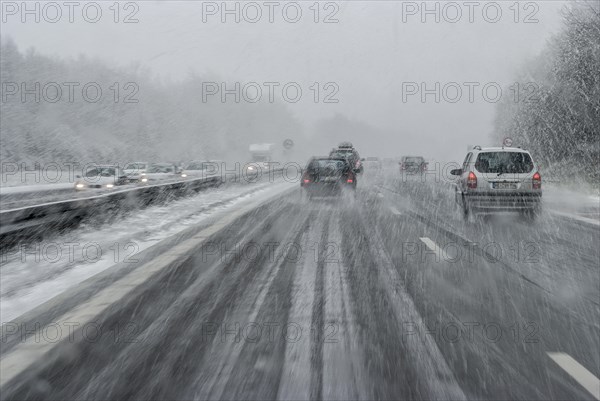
(390, 295)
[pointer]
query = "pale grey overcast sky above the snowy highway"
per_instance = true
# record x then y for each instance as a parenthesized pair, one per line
(372, 55)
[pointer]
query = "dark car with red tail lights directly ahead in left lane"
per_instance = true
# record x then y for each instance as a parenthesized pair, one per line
(328, 176)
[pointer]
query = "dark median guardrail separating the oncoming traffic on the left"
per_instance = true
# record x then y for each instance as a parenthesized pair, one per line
(35, 221)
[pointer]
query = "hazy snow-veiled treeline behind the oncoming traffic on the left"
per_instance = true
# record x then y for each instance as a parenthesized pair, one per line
(81, 110)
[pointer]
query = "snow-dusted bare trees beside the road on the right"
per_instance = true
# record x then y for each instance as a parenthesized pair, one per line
(558, 113)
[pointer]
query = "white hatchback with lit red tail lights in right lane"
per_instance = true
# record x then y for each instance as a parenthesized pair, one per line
(499, 179)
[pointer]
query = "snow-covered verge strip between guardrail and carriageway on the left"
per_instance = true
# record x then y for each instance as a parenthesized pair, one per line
(43, 270)
